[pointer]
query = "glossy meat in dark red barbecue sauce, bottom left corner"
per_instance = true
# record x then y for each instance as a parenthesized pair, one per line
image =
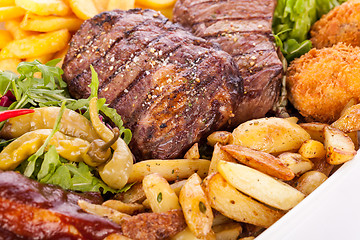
(30, 210)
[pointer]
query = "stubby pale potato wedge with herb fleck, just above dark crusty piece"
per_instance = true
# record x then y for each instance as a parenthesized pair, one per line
(161, 197)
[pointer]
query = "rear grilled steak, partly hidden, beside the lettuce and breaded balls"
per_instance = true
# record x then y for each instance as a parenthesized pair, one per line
(243, 29)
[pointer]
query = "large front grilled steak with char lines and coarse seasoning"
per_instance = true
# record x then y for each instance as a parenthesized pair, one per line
(170, 87)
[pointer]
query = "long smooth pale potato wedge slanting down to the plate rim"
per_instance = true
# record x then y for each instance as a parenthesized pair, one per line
(260, 186)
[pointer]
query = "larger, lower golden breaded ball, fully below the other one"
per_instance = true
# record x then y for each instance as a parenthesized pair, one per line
(322, 82)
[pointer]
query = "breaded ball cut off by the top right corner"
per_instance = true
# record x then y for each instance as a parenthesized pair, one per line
(341, 24)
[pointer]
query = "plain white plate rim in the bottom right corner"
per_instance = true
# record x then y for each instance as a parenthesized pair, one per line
(331, 212)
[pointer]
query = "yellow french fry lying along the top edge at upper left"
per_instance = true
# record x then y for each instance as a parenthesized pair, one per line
(44, 7)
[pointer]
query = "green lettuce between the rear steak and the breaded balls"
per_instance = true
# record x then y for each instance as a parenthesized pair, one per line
(292, 22)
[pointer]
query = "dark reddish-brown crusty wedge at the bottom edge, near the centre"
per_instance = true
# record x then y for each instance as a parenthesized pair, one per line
(152, 226)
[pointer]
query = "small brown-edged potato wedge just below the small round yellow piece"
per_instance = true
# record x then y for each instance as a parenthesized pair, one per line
(296, 162)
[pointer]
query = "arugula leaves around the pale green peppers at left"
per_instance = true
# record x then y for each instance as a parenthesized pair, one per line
(31, 90)
